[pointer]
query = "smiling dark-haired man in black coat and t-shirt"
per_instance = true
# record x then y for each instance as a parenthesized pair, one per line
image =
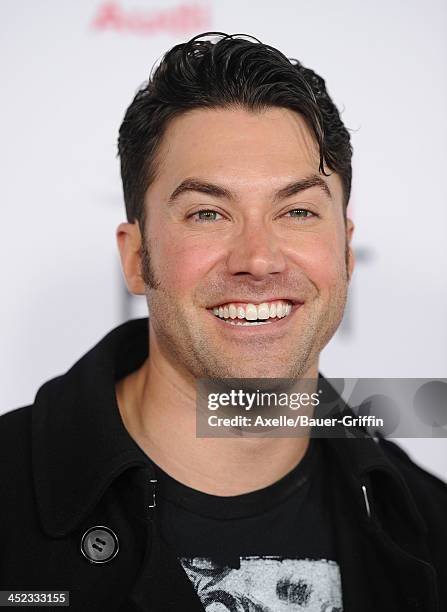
(236, 171)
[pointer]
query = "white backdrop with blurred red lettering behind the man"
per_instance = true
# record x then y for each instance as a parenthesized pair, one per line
(70, 69)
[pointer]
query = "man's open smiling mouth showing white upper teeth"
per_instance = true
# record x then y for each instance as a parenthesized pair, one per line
(249, 315)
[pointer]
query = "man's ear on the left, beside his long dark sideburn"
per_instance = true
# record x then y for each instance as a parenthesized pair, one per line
(128, 237)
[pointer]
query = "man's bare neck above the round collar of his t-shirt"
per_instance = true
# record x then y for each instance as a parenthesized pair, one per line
(158, 408)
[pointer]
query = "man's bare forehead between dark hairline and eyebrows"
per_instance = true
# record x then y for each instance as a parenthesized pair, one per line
(249, 149)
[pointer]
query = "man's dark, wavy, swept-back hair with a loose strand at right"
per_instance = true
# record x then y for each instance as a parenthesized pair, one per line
(227, 71)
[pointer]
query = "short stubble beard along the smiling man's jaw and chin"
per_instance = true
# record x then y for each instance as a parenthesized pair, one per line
(184, 344)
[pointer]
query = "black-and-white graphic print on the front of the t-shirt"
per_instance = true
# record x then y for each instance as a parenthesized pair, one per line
(266, 584)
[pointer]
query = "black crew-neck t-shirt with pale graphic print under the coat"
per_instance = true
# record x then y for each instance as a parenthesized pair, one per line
(265, 551)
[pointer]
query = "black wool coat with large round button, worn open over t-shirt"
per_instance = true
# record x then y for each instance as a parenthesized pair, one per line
(67, 465)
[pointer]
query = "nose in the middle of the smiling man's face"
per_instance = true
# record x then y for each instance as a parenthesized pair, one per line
(256, 251)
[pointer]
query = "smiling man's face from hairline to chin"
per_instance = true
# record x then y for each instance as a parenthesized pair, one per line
(231, 223)
